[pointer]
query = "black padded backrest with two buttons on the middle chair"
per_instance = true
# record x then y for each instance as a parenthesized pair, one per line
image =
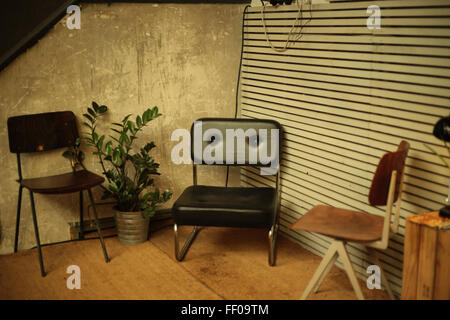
(249, 142)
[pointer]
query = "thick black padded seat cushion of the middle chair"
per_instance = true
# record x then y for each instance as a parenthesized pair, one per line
(225, 207)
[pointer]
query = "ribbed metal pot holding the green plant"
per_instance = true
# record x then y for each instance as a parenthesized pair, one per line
(132, 227)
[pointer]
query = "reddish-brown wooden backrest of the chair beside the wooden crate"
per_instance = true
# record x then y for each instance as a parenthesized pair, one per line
(391, 161)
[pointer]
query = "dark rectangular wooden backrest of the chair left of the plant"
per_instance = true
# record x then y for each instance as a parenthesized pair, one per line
(42, 132)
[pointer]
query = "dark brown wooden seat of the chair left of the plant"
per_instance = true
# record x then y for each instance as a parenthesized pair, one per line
(63, 183)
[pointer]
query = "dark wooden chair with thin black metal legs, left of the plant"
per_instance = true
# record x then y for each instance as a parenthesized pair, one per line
(44, 132)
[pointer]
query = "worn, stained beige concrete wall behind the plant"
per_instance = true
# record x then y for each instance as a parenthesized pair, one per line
(182, 58)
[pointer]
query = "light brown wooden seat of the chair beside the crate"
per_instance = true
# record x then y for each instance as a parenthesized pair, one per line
(341, 224)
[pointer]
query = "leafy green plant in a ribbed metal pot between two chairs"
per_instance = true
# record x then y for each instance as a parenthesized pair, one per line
(128, 172)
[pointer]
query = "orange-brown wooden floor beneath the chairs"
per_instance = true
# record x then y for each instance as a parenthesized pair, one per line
(221, 264)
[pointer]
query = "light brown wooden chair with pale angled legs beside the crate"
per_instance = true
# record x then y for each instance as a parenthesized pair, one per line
(366, 229)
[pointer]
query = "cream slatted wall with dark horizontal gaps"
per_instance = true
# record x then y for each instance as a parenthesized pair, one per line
(345, 96)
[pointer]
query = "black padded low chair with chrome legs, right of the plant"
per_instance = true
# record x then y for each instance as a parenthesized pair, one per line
(258, 143)
